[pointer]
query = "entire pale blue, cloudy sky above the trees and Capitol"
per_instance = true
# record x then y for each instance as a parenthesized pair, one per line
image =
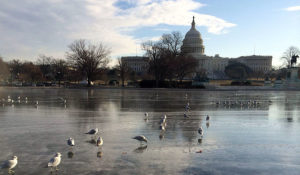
(230, 28)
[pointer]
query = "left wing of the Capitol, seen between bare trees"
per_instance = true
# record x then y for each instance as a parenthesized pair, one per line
(138, 64)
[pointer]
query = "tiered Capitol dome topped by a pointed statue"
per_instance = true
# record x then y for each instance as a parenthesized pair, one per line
(193, 43)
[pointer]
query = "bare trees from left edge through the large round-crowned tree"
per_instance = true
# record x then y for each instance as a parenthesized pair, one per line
(84, 60)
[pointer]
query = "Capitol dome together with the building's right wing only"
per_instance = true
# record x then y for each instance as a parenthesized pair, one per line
(214, 66)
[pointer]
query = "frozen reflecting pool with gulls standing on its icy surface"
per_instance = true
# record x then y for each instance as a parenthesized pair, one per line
(249, 132)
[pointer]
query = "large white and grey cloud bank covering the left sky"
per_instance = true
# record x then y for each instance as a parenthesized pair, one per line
(49, 26)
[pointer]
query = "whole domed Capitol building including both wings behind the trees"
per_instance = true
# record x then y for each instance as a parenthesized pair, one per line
(213, 66)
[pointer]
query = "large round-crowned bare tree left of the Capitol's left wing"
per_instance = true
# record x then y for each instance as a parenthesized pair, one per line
(88, 58)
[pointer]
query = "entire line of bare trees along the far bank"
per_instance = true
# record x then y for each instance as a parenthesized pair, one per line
(88, 61)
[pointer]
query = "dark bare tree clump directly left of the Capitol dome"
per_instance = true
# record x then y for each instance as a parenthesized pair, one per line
(166, 60)
